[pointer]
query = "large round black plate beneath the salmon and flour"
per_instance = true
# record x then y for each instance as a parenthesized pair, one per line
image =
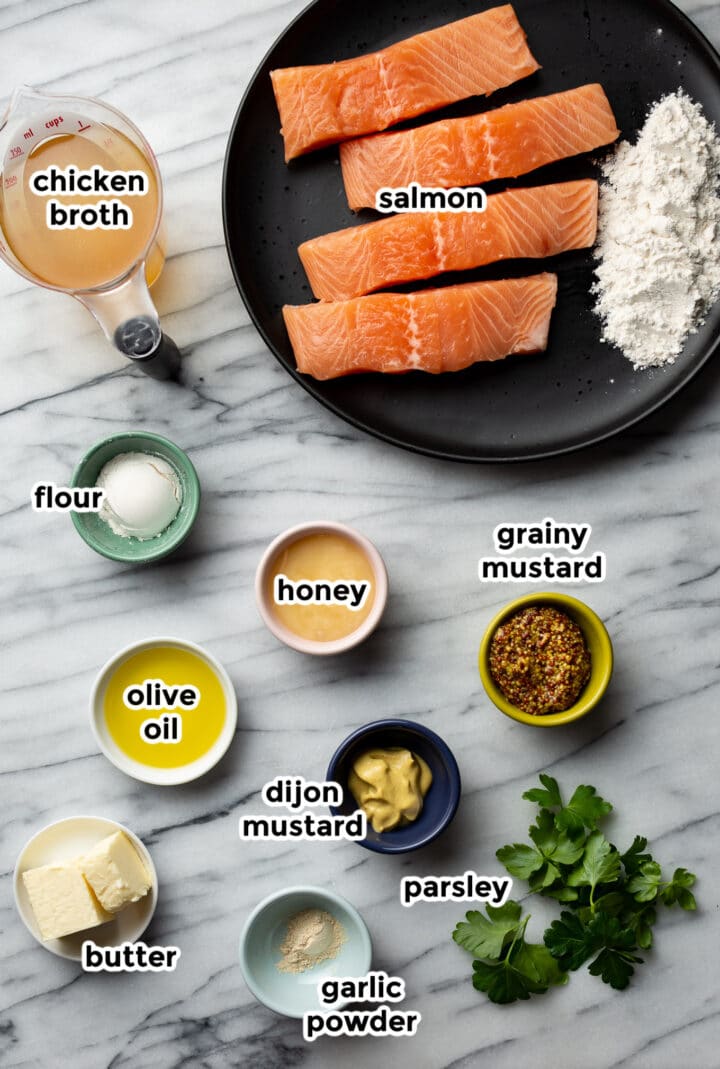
(580, 392)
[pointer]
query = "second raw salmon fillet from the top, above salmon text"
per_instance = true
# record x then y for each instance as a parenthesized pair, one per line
(496, 145)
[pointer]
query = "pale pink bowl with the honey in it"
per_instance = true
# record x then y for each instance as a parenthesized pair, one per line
(322, 588)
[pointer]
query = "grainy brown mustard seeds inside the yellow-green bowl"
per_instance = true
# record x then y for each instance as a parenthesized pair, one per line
(540, 661)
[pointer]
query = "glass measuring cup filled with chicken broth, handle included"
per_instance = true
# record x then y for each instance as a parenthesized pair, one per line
(108, 269)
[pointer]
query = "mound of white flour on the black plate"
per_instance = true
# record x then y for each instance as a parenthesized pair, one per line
(660, 234)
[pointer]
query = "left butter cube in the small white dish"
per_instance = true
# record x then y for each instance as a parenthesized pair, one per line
(62, 902)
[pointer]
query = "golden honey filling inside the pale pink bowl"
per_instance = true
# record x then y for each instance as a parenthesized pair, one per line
(321, 586)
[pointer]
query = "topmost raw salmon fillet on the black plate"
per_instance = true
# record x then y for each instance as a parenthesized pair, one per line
(328, 103)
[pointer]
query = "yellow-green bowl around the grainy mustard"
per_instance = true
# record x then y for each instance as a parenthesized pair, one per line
(601, 655)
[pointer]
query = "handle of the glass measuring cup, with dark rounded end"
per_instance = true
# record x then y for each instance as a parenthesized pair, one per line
(130, 320)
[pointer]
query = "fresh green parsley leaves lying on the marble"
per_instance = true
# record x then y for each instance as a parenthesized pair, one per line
(613, 902)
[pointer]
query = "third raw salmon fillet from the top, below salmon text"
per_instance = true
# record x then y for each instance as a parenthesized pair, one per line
(403, 249)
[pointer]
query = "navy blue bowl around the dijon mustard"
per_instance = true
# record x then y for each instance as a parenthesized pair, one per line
(442, 800)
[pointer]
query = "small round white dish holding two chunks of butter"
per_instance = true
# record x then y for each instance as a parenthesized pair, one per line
(59, 845)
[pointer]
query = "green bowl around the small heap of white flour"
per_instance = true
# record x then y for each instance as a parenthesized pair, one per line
(100, 536)
